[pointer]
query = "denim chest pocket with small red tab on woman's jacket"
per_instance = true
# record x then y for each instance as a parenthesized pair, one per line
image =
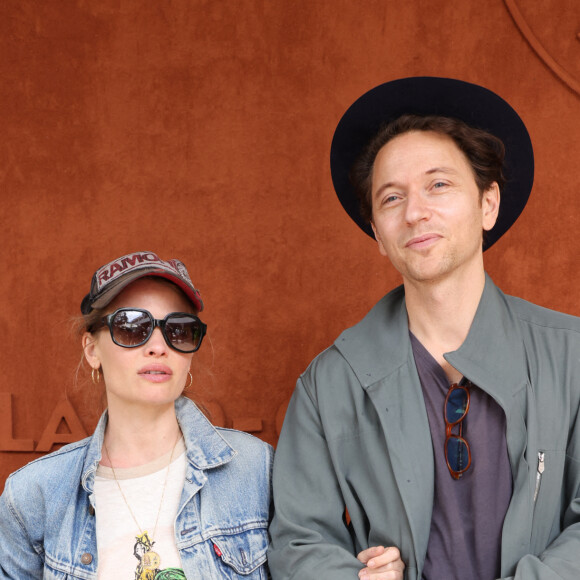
(242, 554)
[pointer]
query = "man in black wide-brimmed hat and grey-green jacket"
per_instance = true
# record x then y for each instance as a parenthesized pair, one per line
(443, 425)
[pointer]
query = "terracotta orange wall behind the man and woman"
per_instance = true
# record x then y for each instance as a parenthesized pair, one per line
(201, 130)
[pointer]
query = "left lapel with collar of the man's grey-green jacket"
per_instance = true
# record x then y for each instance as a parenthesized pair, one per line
(379, 351)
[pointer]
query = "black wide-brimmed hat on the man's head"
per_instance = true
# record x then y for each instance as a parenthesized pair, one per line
(475, 105)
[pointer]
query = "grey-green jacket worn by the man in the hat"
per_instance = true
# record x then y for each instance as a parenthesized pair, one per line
(356, 434)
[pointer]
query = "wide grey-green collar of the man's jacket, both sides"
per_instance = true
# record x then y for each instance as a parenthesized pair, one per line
(492, 356)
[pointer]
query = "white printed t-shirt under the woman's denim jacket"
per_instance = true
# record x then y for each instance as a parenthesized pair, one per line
(120, 552)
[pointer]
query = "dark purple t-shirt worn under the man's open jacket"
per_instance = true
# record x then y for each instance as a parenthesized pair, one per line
(468, 514)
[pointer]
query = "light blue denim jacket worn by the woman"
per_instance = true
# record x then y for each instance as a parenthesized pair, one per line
(47, 510)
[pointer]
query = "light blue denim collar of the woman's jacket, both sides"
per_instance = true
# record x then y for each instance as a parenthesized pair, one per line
(206, 448)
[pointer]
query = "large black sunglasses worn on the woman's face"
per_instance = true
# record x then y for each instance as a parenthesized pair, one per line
(132, 327)
